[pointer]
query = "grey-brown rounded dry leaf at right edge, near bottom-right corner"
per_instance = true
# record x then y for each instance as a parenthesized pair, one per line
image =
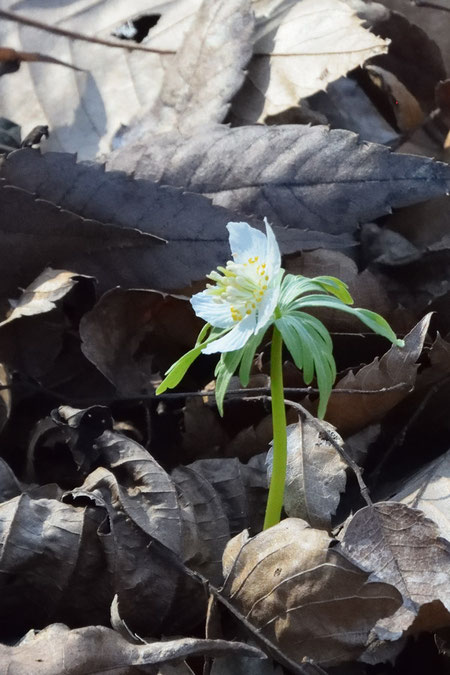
(401, 547)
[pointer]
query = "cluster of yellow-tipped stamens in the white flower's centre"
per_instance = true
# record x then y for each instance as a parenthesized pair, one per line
(240, 285)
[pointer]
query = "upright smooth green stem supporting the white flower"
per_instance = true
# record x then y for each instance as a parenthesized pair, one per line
(276, 489)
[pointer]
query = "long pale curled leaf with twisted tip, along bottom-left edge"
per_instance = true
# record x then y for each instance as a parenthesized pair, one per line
(100, 650)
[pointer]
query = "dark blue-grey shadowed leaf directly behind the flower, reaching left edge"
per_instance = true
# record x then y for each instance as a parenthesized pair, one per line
(196, 230)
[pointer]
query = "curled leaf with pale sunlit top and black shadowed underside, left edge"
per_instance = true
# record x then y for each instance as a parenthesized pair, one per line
(31, 337)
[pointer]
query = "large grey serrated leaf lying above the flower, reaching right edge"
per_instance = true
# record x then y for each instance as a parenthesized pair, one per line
(297, 176)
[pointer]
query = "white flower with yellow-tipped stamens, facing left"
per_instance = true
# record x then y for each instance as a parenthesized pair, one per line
(246, 291)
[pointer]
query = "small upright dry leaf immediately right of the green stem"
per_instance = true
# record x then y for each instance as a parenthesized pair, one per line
(315, 474)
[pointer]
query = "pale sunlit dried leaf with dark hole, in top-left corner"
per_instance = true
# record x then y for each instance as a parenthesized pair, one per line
(115, 84)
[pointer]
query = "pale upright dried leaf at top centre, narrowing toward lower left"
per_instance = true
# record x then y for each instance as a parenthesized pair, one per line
(207, 70)
